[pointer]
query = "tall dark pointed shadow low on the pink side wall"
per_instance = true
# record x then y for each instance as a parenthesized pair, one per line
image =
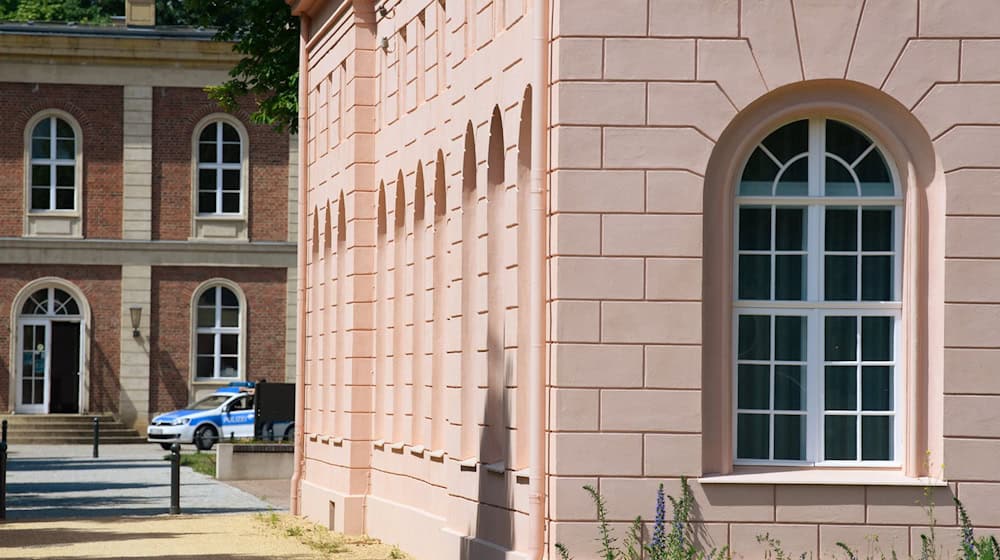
(494, 524)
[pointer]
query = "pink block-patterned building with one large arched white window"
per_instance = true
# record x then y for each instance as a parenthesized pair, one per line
(550, 243)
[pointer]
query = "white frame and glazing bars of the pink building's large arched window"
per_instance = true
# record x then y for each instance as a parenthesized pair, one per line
(815, 308)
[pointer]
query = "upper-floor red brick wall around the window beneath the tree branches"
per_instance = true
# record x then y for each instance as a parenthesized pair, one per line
(176, 111)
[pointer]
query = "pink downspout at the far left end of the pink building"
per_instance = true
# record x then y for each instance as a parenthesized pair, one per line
(300, 299)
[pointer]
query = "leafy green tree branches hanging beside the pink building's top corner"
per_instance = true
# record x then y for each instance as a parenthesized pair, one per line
(267, 35)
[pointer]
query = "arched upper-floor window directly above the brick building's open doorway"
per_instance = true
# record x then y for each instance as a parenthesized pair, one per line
(53, 177)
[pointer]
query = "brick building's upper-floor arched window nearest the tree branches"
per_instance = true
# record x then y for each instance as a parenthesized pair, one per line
(220, 169)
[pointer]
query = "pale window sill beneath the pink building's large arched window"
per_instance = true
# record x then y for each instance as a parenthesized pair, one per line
(822, 477)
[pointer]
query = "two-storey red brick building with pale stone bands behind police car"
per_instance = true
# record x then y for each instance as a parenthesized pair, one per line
(146, 236)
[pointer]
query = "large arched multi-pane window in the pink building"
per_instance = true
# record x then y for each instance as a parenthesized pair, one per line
(817, 300)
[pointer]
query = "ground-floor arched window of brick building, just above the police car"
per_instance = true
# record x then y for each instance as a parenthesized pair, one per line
(219, 321)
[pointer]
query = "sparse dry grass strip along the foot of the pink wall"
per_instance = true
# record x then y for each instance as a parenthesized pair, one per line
(325, 542)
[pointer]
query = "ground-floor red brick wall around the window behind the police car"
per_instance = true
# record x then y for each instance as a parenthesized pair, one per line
(170, 327)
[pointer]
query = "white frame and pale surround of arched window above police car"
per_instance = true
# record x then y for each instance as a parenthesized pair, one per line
(217, 330)
